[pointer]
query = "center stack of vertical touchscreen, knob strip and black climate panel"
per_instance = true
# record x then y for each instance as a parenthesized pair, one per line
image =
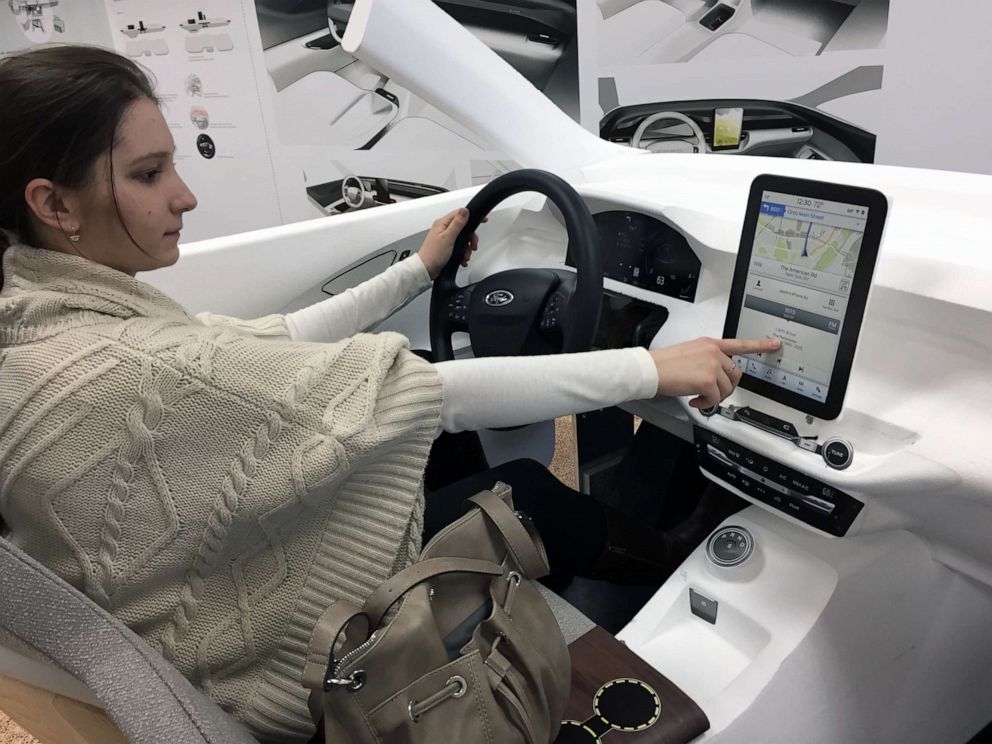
(803, 275)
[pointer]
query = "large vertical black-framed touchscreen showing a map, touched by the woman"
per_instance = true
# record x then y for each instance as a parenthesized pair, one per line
(807, 256)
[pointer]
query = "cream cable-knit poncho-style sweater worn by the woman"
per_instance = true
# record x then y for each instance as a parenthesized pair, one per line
(212, 483)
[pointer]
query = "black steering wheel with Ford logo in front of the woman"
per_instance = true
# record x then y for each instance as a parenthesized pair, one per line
(522, 311)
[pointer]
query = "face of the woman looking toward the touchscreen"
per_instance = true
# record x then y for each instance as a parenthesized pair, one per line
(150, 195)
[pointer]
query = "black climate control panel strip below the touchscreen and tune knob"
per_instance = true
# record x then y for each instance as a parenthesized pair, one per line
(801, 496)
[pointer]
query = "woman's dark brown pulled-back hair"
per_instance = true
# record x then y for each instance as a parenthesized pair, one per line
(61, 109)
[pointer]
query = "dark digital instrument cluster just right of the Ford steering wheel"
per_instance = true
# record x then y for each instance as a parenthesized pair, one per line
(645, 252)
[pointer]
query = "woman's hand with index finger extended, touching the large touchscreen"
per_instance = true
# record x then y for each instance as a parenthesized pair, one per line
(704, 367)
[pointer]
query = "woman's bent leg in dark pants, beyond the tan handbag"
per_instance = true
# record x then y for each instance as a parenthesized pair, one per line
(572, 524)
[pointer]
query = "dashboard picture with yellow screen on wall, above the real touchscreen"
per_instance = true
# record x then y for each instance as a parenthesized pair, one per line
(769, 128)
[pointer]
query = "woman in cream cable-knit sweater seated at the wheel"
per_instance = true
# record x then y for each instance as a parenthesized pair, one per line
(216, 483)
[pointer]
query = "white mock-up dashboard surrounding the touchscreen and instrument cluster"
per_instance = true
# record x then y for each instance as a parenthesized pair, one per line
(919, 388)
